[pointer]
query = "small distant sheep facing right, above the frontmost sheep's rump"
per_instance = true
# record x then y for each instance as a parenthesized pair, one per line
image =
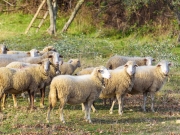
(67, 68)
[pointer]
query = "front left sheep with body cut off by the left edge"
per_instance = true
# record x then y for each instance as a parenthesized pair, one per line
(16, 81)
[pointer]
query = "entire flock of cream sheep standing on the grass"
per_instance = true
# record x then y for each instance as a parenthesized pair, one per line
(31, 71)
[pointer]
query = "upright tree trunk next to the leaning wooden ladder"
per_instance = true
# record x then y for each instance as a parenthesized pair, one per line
(52, 7)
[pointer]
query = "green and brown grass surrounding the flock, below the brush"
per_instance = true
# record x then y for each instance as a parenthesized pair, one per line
(94, 50)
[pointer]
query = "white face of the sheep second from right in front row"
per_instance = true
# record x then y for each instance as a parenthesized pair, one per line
(130, 67)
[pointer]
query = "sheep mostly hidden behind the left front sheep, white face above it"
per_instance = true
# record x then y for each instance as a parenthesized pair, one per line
(54, 70)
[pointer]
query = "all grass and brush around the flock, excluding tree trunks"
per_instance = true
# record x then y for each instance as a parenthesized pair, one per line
(94, 39)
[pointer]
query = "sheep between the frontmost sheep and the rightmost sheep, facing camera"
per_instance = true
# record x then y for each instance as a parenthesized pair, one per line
(121, 82)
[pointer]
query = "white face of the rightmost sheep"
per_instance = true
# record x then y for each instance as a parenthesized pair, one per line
(164, 66)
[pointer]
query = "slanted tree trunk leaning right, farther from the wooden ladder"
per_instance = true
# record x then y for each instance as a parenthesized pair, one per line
(79, 4)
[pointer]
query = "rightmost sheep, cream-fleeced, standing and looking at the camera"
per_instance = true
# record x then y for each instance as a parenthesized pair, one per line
(150, 79)
